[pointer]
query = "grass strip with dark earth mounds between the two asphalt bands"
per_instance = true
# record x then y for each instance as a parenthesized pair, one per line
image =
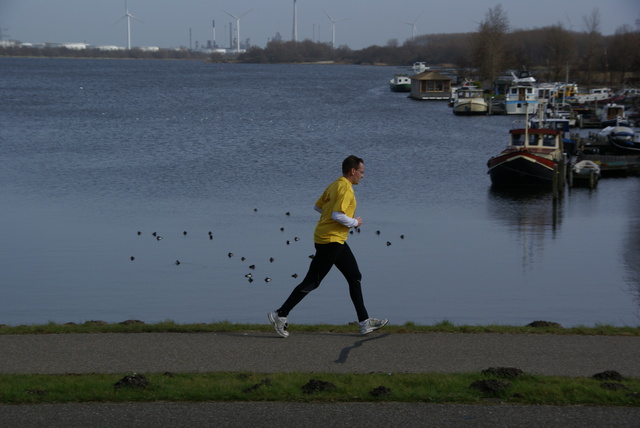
(319, 387)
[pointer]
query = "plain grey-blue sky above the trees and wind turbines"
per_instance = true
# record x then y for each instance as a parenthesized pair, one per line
(360, 23)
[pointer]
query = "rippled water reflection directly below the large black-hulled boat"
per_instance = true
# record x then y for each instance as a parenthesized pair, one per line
(531, 214)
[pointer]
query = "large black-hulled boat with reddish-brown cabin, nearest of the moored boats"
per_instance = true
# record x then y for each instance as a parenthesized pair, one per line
(531, 159)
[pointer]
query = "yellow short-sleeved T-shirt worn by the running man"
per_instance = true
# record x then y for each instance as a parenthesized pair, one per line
(338, 196)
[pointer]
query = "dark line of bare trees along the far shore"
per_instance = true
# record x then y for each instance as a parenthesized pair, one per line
(554, 53)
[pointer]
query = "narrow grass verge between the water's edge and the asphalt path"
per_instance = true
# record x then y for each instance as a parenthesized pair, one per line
(407, 328)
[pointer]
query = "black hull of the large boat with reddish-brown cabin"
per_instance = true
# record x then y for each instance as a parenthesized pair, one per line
(521, 168)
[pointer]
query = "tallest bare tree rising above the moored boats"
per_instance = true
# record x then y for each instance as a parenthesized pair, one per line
(489, 52)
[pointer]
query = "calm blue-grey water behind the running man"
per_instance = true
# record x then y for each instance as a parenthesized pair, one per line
(94, 151)
